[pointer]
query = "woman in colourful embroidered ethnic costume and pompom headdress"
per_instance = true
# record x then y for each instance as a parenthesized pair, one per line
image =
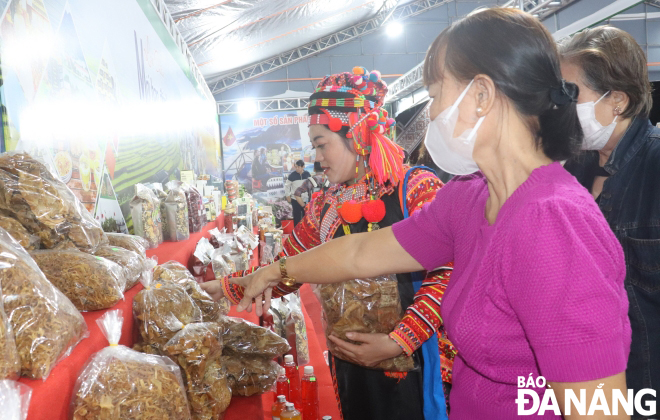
(347, 129)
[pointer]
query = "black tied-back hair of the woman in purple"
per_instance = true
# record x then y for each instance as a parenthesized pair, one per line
(518, 53)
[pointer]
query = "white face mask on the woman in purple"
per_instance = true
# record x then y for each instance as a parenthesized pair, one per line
(452, 154)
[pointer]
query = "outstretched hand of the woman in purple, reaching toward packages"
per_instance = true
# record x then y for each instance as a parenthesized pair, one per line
(258, 286)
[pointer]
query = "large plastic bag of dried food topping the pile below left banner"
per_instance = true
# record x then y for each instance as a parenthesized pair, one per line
(45, 206)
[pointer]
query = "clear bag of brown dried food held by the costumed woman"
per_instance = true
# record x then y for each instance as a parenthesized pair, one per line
(363, 306)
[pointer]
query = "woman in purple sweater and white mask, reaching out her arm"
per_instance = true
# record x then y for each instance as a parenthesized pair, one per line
(538, 276)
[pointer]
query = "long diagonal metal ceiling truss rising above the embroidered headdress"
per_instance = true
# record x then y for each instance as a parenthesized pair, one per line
(389, 12)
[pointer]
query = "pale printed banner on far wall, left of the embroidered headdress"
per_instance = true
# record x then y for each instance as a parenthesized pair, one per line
(260, 151)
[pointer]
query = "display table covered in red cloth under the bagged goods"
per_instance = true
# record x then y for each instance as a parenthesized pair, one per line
(51, 398)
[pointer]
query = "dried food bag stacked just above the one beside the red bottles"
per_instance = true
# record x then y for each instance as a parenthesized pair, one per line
(243, 337)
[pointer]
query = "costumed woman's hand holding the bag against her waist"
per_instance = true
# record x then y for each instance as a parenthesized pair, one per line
(374, 348)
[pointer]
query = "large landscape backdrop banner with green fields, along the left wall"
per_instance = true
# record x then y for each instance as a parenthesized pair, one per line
(100, 91)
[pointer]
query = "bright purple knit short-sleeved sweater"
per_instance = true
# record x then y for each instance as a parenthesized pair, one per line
(540, 291)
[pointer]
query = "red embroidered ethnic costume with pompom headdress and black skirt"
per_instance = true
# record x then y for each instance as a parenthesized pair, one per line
(364, 393)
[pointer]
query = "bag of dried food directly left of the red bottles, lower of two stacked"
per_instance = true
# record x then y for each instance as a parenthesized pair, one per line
(250, 375)
